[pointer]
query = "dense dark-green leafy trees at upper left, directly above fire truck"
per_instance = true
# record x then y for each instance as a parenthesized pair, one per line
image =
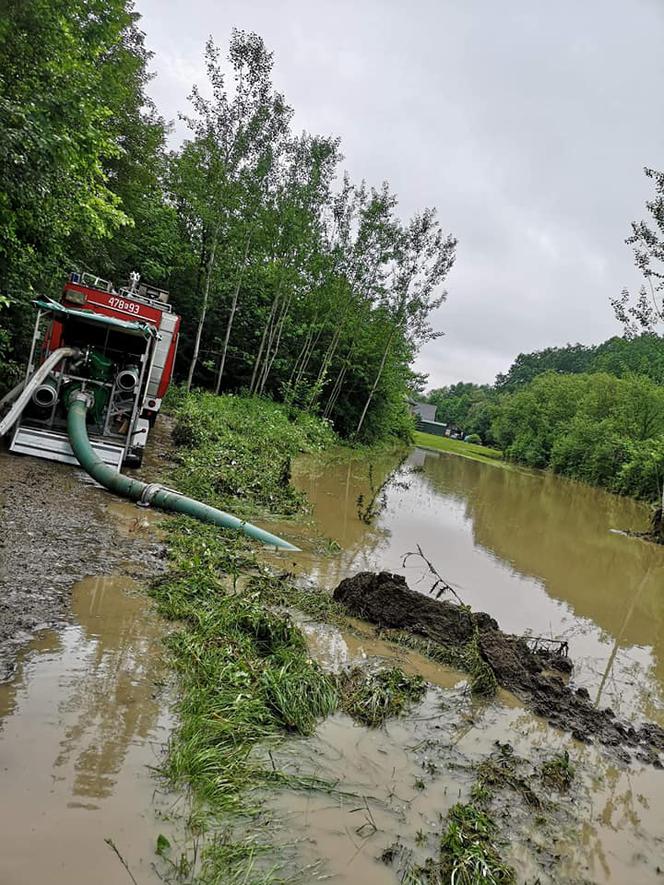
(72, 77)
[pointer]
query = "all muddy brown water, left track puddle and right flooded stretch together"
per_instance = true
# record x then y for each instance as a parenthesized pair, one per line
(86, 714)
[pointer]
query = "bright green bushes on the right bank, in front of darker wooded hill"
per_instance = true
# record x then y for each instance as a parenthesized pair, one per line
(598, 428)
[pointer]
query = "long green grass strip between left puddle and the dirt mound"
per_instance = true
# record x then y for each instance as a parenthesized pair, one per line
(245, 677)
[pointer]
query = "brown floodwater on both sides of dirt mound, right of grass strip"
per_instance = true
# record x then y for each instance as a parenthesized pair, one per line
(544, 556)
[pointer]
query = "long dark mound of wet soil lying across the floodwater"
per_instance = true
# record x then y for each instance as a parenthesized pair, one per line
(533, 676)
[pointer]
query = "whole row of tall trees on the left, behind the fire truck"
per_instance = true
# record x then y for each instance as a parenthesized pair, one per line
(293, 281)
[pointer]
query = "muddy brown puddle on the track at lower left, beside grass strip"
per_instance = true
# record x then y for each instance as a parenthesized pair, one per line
(81, 722)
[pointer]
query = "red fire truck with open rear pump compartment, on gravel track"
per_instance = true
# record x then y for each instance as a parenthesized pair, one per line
(122, 345)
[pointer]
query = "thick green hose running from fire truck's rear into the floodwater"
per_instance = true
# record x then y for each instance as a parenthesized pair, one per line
(78, 403)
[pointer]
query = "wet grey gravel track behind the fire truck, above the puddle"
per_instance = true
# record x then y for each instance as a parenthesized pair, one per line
(55, 529)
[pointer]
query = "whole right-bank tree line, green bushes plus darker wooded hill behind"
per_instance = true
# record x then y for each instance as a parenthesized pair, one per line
(594, 413)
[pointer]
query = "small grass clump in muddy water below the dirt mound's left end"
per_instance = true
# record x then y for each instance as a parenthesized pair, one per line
(371, 697)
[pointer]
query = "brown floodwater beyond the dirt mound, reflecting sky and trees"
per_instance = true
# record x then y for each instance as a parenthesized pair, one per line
(538, 552)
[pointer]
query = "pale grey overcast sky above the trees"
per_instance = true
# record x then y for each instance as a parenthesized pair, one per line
(526, 123)
